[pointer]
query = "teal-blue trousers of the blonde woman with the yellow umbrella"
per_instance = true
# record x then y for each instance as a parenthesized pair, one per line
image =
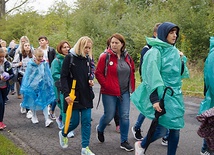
(85, 124)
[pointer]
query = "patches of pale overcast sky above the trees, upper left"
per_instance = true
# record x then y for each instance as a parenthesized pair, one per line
(39, 5)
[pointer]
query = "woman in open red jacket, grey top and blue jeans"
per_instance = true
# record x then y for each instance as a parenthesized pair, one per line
(117, 80)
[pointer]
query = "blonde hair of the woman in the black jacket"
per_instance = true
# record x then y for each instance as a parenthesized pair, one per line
(79, 47)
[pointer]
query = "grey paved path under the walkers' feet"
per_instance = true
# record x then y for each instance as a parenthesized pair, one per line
(36, 139)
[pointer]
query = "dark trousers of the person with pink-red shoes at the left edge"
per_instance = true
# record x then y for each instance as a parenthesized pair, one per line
(3, 95)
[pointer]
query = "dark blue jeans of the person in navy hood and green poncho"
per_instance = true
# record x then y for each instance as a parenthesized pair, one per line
(173, 138)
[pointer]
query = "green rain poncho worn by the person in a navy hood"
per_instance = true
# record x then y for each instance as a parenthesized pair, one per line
(162, 68)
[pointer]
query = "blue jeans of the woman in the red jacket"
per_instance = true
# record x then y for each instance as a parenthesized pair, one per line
(110, 103)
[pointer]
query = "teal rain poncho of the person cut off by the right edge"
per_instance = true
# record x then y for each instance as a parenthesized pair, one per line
(208, 101)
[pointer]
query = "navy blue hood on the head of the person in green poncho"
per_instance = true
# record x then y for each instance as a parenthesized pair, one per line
(164, 29)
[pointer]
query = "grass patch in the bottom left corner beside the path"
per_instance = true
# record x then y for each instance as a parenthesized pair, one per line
(7, 147)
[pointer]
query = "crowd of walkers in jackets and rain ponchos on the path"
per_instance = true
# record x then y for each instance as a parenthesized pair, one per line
(48, 77)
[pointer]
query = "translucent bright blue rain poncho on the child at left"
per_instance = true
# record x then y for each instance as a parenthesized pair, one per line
(37, 86)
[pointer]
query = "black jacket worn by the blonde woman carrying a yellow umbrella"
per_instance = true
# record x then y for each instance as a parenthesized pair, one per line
(80, 70)
